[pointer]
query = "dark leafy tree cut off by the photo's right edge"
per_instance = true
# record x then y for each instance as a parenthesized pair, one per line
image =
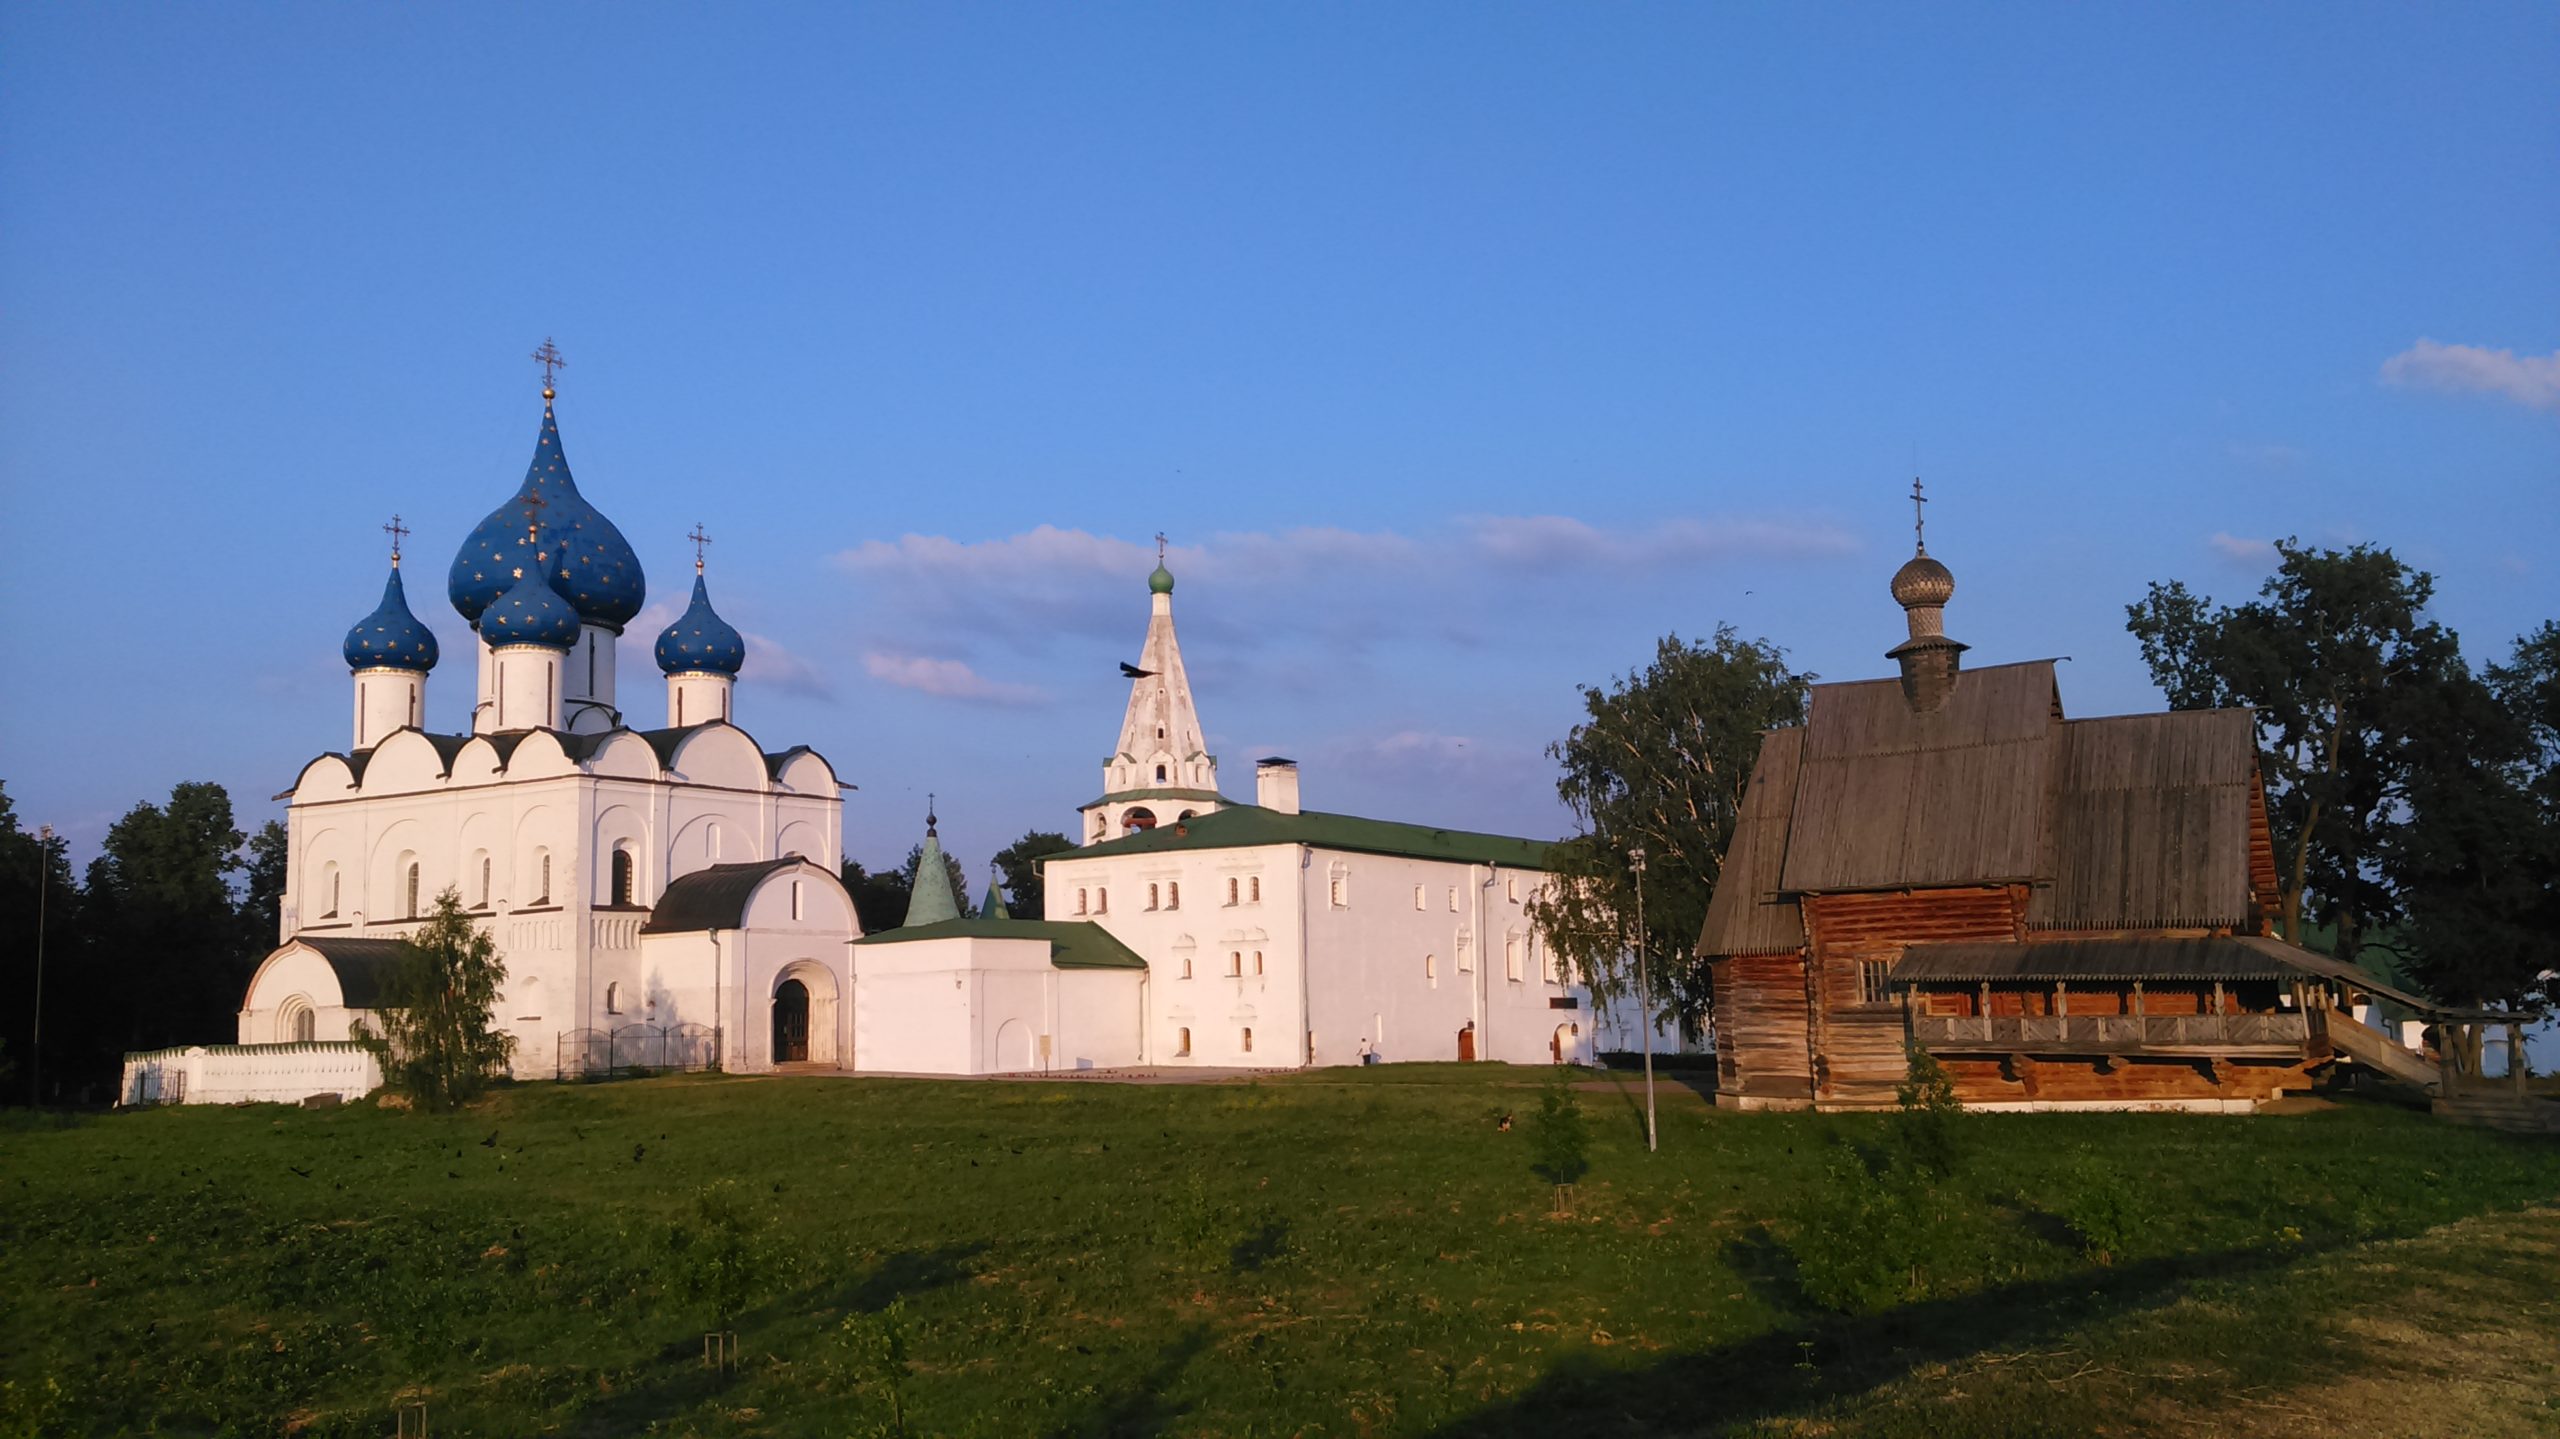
(2477, 867)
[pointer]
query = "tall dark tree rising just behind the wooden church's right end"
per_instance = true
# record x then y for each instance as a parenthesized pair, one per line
(2344, 672)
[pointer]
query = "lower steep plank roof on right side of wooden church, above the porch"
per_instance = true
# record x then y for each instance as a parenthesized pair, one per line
(2149, 823)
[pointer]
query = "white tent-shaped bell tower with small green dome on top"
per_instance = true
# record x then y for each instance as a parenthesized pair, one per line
(1161, 769)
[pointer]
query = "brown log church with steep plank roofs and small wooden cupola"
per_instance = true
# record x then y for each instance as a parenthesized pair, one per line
(2065, 913)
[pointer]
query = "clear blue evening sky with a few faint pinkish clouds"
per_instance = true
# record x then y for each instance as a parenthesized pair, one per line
(1460, 350)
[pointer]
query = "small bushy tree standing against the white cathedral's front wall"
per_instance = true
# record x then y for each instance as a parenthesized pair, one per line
(434, 1038)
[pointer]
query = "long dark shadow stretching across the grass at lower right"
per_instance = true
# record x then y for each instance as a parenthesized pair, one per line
(1804, 1369)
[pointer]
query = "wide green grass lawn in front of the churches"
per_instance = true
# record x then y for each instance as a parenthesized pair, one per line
(1332, 1253)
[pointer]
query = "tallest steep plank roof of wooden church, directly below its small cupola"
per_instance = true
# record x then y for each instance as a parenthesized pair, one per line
(1893, 798)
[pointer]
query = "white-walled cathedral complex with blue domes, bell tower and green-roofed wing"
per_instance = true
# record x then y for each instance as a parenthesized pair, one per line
(669, 895)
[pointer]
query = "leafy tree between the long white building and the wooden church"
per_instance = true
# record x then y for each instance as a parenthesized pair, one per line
(1660, 762)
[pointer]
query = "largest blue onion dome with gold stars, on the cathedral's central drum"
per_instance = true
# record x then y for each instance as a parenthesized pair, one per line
(593, 567)
